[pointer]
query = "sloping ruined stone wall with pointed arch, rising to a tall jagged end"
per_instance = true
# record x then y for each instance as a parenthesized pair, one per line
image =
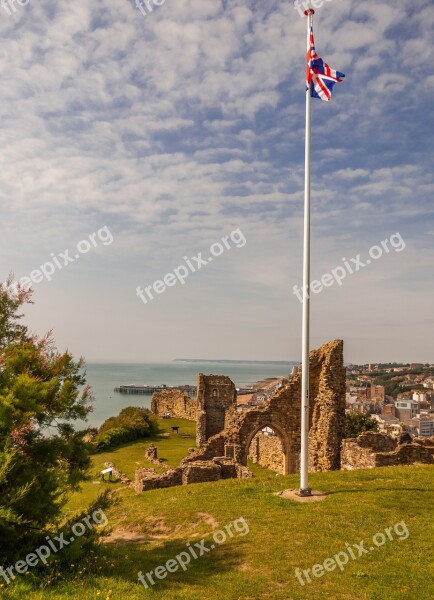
(282, 413)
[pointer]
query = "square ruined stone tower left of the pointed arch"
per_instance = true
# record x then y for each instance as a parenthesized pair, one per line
(216, 395)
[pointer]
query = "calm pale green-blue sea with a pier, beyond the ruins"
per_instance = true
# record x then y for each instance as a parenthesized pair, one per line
(104, 377)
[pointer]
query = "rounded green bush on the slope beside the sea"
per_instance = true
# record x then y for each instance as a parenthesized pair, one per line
(131, 424)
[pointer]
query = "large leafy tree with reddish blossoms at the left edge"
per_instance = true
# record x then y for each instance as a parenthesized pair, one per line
(42, 457)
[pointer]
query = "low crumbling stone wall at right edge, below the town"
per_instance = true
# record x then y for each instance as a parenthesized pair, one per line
(372, 449)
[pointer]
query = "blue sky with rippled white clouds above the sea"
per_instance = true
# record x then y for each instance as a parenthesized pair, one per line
(137, 142)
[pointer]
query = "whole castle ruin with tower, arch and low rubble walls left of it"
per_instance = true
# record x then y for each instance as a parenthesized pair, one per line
(224, 435)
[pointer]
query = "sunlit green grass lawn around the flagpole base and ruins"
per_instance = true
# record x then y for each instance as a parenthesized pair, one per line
(283, 535)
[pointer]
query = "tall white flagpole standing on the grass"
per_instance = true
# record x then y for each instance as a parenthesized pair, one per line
(304, 455)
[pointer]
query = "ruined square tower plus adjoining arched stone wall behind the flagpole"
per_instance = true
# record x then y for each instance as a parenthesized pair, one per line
(281, 413)
